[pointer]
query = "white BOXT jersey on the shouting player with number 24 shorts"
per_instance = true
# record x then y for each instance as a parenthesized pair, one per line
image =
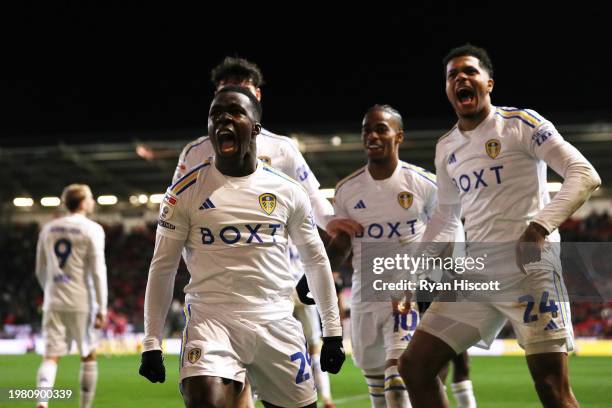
(497, 174)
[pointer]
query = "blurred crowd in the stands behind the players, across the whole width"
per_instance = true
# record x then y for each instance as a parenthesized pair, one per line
(128, 255)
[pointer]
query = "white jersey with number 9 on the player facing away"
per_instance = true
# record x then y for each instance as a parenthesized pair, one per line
(70, 264)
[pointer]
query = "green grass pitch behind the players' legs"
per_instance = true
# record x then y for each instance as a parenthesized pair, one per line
(498, 382)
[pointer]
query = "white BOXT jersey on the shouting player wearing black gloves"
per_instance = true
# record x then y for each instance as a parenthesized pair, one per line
(236, 231)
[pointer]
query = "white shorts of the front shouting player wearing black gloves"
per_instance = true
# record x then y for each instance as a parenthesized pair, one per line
(221, 344)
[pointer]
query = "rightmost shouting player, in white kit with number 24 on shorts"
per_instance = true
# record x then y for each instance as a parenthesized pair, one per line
(491, 168)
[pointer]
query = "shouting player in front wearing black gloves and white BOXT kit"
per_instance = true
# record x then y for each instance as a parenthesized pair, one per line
(233, 215)
